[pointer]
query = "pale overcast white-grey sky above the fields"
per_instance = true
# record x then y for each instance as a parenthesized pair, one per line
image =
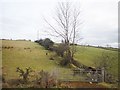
(23, 19)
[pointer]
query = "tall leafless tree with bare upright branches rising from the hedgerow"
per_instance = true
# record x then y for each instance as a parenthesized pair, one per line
(68, 26)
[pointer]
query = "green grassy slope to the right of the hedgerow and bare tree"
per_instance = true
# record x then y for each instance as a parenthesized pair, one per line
(89, 55)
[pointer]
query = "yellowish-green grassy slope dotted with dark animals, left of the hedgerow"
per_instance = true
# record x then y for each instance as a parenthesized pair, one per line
(36, 59)
